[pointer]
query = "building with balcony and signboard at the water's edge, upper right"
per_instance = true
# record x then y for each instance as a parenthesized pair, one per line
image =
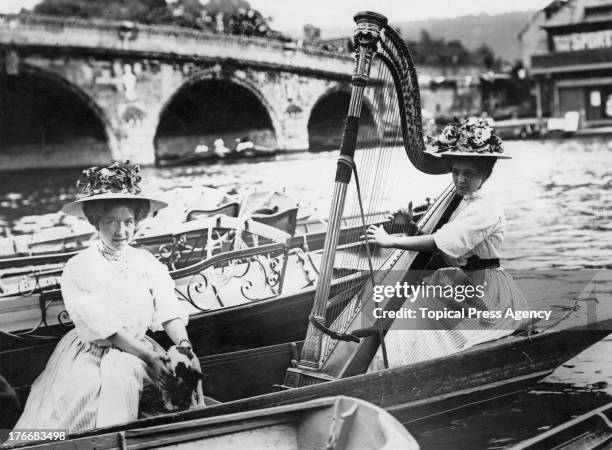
(567, 49)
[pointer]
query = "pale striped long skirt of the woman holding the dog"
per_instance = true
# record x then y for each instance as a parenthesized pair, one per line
(85, 386)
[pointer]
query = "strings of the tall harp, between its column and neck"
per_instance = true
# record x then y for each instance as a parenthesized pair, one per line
(380, 148)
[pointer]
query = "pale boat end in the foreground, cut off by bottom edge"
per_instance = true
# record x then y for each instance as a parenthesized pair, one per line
(341, 423)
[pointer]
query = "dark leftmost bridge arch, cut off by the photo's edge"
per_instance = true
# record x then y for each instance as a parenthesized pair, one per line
(47, 121)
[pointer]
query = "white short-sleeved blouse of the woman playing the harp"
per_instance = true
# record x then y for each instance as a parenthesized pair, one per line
(476, 227)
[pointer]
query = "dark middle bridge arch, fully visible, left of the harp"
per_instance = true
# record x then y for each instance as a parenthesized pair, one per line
(210, 106)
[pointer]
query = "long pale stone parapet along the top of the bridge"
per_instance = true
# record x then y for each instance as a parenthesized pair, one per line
(163, 42)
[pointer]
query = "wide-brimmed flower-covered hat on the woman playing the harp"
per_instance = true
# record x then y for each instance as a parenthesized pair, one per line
(469, 137)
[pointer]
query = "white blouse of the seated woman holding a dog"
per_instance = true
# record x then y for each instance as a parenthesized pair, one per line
(103, 297)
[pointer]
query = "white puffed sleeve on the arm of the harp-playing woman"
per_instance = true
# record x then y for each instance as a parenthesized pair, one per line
(468, 229)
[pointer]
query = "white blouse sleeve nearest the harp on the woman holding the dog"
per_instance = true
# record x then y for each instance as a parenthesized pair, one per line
(167, 305)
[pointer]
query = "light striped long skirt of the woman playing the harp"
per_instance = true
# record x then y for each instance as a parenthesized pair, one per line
(409, 342)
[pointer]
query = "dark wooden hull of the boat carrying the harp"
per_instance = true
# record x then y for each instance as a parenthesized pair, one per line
(409, 393)
